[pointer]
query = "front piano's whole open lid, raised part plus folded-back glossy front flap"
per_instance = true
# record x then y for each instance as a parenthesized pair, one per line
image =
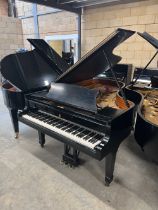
(88, 67)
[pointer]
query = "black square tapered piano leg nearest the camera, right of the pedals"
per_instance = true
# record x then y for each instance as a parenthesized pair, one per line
(109, 167)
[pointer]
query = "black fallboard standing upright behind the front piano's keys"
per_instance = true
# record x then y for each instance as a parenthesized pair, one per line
(96, 122)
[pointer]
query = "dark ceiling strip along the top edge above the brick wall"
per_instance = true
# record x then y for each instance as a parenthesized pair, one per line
(77, 5)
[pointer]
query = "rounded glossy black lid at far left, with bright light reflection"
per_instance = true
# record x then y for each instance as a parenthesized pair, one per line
(27, 71)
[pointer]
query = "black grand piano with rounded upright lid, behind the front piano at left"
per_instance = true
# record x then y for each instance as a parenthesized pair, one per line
(28, 72)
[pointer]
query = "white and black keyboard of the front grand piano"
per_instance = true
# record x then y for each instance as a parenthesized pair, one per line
(73, 131)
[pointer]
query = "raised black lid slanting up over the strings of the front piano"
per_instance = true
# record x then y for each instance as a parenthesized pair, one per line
(95, 62)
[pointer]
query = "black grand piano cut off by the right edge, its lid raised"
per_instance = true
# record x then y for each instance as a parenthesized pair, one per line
(146, 83)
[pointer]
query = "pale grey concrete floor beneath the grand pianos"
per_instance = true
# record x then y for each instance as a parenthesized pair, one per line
(32, 178)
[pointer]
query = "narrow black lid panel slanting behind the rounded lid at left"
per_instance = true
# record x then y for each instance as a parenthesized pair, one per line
(51, 56)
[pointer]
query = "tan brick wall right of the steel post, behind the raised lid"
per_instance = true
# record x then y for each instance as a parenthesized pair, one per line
(141, 16)
